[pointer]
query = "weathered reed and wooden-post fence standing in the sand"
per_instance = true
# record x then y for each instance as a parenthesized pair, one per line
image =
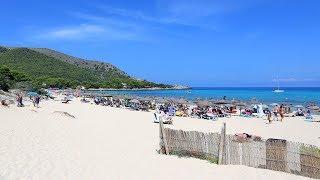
(273, 154)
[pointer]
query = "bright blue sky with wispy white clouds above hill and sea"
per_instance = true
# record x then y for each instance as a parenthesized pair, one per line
(192, 42)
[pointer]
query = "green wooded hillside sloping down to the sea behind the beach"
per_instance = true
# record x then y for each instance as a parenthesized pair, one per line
(29, 68)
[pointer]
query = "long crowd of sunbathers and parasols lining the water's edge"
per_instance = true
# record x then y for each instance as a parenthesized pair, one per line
(170, 109)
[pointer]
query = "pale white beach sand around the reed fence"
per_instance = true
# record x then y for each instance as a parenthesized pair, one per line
(110, 143)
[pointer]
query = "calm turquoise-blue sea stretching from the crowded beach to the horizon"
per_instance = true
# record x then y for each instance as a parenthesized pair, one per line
(291, 95)
